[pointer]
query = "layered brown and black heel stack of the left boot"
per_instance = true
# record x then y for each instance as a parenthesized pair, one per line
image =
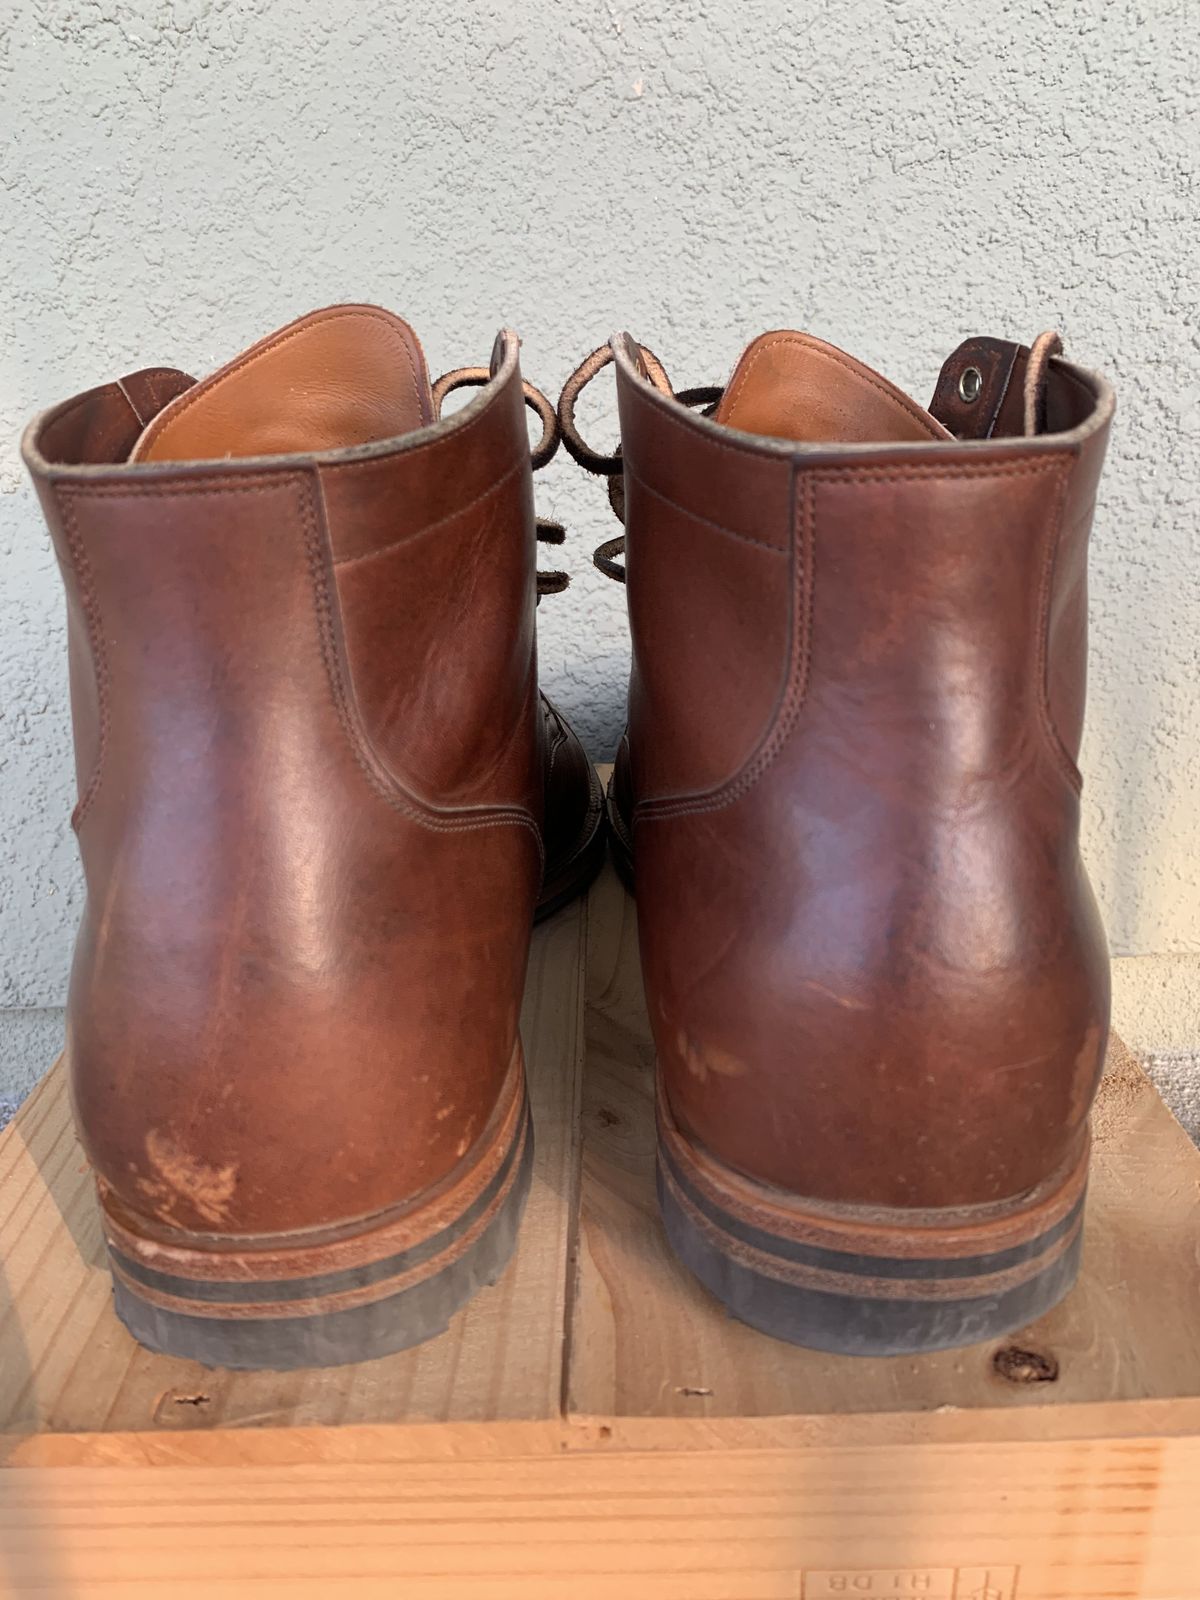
(303, 1300)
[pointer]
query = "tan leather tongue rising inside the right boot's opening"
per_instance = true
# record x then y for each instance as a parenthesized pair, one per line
(794, 386)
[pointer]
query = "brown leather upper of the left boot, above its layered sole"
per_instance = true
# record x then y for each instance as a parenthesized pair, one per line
(310, 753)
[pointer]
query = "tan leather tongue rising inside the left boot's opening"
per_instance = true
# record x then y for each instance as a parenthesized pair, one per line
(343, 377)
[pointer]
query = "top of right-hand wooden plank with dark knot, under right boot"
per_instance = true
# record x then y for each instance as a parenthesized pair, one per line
(649, 1342)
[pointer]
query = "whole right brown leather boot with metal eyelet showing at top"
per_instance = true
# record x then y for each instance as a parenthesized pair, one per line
(874, 969)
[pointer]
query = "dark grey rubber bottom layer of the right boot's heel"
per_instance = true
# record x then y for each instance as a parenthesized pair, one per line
(860, 1324)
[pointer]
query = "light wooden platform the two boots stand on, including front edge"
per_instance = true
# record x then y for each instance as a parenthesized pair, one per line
(594, 1425)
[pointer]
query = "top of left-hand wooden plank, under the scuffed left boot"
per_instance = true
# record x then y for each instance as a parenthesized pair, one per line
(68, 1366)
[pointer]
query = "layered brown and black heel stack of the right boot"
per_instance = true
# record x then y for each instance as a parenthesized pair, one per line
(865, 1281)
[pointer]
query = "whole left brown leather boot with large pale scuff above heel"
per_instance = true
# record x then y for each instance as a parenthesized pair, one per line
(319, 801)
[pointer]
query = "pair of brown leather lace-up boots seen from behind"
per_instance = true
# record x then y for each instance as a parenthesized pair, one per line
(322, 804)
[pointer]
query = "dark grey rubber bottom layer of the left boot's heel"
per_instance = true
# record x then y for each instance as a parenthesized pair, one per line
(342, 1338)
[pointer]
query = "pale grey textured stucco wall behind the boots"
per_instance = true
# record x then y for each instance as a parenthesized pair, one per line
(180, 178)
